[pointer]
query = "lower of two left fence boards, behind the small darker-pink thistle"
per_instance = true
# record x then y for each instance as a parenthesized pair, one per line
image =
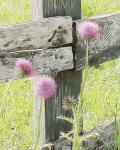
(43, 61)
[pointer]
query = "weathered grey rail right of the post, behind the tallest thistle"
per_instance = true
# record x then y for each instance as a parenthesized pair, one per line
(108, 39)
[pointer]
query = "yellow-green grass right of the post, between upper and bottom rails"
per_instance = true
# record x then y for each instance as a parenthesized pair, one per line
(102, 92)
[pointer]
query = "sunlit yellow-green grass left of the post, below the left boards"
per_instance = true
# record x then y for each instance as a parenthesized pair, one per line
(16, 128)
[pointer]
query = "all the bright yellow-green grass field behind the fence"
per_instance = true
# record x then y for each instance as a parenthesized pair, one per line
(103, 86)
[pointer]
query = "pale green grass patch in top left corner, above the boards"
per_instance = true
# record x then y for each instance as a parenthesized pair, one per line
(14, 11)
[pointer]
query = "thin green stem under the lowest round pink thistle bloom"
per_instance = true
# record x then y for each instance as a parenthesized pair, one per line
(39, 119)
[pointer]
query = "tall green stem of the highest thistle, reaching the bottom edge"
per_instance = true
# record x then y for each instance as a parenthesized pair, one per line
(78, 121)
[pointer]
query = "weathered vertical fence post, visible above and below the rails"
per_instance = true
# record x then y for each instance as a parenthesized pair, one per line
(68, 81)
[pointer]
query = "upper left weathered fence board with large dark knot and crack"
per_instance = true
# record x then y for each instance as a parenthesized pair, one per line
(46, 33)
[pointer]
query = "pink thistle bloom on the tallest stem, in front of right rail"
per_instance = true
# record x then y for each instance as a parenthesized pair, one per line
(88, 30)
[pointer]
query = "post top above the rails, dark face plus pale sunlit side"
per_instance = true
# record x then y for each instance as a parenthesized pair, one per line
(50, 8)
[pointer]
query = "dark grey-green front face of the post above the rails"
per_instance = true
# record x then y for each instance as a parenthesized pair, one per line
(62, 8)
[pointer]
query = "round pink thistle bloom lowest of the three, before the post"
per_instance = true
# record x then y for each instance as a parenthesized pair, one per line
(45, 87)
